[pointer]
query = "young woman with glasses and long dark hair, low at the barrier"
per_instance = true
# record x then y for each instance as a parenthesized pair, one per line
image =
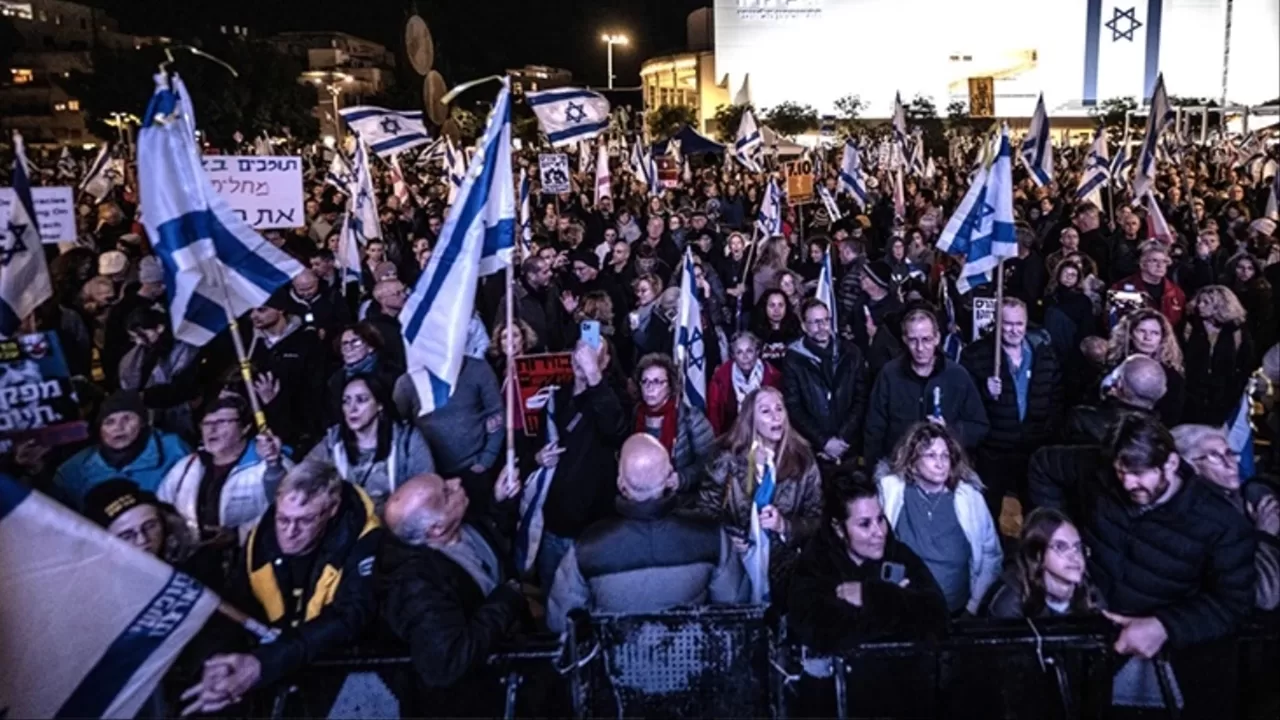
(1049, 577)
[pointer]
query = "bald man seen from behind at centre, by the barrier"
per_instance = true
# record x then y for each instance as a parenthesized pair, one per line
(647, 559)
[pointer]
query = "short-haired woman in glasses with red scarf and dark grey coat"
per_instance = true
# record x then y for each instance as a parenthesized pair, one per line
(683, 430)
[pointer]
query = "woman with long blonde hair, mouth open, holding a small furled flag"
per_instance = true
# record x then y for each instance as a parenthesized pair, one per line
(793, 514)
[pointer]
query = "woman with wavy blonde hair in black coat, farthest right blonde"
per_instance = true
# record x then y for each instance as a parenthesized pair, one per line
(1219, 356)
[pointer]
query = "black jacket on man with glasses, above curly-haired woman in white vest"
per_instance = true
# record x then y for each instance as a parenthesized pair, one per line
(900, 399)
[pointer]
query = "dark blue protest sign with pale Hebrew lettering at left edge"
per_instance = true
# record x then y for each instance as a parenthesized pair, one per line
(38, 400)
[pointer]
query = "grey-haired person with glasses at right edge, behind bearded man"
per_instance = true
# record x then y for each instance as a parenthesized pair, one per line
(1210, 454)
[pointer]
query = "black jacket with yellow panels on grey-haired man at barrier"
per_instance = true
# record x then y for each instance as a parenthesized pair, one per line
(340, 604)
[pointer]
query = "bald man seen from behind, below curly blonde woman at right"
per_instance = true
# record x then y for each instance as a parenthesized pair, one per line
(1136, 386)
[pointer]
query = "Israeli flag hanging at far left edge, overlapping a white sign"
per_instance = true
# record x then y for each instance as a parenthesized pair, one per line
(24, 274)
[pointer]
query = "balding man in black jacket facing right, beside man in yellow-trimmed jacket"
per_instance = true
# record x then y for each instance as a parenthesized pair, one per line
(446, 589)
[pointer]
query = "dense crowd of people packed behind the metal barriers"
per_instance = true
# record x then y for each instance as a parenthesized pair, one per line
(1075, 463)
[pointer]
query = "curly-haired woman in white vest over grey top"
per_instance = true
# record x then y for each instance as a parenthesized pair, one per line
(934, 500)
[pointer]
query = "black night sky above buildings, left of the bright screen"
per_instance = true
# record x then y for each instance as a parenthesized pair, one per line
(473, 38)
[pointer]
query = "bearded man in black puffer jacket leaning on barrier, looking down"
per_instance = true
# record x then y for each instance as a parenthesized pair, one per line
(1172, 558)
